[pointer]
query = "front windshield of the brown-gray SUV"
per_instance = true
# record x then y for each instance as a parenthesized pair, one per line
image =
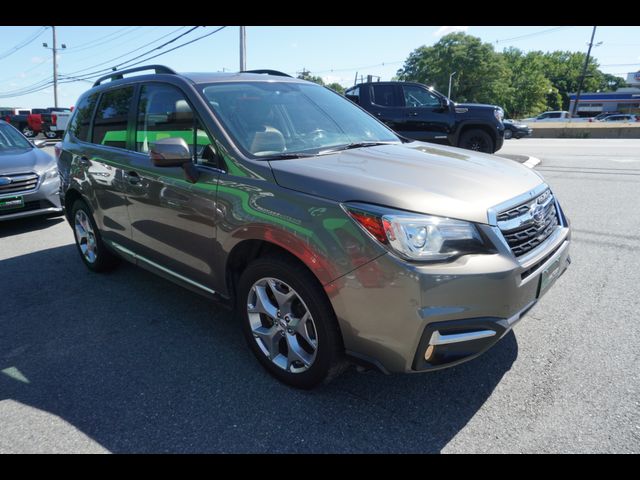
(281, 118)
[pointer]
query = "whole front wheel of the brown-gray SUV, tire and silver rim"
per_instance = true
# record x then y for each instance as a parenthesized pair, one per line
(289, 323)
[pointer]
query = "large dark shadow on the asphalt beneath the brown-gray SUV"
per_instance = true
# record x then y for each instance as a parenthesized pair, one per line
(140, 365)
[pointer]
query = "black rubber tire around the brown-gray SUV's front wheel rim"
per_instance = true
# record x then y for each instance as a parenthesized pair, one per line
(309, 289)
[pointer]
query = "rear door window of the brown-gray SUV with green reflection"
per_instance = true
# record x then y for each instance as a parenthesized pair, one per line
(110, 124)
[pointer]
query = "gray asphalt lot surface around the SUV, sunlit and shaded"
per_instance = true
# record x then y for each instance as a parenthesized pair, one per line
(128, 362)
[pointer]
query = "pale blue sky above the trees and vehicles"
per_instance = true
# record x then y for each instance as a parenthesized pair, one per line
(335, 53)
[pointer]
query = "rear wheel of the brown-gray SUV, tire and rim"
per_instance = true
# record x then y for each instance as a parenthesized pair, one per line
(93, 251)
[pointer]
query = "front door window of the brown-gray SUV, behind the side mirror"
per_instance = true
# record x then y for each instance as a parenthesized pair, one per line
(163, 112)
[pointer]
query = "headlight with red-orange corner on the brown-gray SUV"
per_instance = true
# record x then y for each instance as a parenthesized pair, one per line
(418, 237)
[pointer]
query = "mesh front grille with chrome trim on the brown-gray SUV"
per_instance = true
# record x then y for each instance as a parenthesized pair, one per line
(527, 225)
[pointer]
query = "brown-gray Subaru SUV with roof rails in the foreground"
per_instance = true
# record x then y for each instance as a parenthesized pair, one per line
(335, 240)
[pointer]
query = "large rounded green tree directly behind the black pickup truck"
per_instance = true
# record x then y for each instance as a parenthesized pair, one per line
(482, 74)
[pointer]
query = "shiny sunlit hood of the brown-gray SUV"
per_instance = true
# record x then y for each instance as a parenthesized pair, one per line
(417, 176)
